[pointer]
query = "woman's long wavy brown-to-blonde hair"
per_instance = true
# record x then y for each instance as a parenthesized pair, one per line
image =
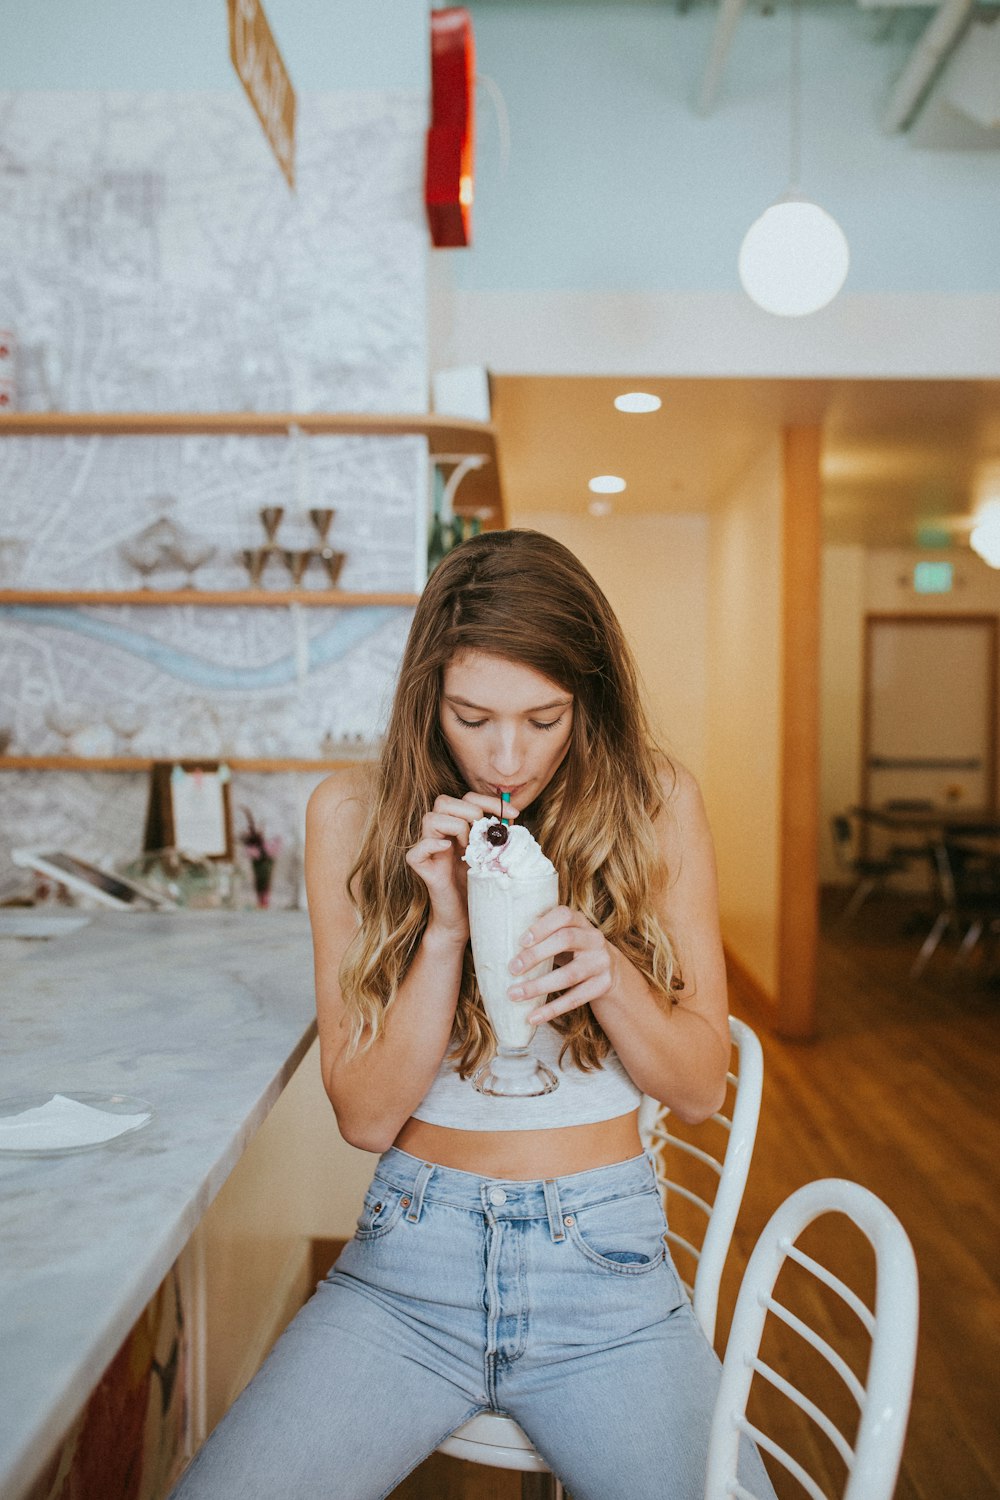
(522, 596)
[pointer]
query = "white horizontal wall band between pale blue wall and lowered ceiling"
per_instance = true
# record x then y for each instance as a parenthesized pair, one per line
(893, 335)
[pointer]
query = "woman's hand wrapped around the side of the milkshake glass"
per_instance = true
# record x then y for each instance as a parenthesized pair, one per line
(585, 965)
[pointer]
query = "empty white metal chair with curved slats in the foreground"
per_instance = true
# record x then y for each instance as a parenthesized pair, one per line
(884, 1399)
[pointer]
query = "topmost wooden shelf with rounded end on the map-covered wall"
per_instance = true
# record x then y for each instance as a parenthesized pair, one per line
(481, 491)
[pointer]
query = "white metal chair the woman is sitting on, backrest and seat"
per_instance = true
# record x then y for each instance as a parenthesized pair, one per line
(497, 1441)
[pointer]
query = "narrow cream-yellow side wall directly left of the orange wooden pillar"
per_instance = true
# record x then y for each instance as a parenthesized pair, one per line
(744, 710)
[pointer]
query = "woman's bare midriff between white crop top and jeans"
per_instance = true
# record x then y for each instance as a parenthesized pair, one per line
(524, 1154)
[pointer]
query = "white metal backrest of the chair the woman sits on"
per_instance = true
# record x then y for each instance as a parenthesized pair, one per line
(729, 1168)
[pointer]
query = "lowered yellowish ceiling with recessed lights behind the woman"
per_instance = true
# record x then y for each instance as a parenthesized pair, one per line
(899, 457)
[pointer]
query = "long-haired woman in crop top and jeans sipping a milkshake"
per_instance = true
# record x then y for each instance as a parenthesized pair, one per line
(510, 1253)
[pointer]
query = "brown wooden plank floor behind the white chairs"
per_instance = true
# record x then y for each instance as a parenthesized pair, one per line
(899, 1093)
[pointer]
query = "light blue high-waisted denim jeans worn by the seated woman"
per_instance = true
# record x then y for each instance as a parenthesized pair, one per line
(555, 1303)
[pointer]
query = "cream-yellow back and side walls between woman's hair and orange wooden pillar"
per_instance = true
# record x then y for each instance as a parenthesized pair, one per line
(699, 599)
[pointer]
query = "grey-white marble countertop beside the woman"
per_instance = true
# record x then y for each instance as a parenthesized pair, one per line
(205, 1016)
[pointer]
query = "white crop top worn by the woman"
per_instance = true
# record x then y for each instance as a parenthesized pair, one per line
(582, 1099)
